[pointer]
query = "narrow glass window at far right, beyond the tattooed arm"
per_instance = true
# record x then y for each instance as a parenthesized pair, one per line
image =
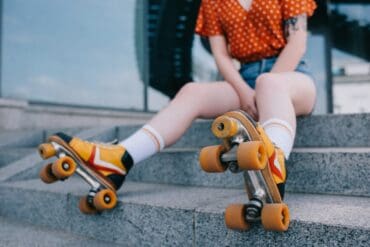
(350, 25)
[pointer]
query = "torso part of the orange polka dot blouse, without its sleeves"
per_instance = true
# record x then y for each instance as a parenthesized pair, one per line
(255, 33)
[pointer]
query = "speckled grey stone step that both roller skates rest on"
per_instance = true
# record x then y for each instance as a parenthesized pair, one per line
(168, 215)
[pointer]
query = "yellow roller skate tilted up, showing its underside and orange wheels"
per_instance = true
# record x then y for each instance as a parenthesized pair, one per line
(246, 148)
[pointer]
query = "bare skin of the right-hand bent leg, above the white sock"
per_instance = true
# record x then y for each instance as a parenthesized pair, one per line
(284, 96)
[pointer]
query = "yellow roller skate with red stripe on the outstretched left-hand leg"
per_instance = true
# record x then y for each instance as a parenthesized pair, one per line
(102, 166)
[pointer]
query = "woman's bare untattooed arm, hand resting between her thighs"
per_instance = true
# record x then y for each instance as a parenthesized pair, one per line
(231, 75)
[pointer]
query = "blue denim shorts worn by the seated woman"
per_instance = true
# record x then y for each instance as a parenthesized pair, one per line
(250, 71)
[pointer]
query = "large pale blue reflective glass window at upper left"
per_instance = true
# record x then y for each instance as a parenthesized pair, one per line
(72, 52)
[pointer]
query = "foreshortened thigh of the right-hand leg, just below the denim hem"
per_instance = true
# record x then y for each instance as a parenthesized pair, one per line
(302, 91)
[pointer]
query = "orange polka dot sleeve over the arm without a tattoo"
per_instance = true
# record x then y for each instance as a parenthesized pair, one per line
(208, 23)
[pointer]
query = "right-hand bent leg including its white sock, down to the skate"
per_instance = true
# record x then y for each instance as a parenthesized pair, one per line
(280, 98)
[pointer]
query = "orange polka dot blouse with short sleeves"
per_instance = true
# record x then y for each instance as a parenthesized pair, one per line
(251, 34)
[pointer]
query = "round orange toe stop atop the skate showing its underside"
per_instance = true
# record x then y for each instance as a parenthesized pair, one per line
(224, 127)
